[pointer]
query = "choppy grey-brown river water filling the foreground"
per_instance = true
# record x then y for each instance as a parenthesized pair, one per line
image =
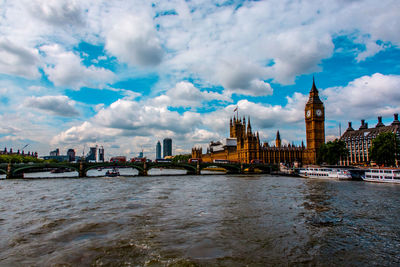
(206, 220)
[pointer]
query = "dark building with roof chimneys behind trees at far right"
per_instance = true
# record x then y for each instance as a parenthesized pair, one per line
(359, 141)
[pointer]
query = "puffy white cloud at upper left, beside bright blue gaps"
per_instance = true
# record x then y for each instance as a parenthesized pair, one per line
(66, 69)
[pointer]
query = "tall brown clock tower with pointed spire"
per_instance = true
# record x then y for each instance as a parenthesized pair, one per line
(315, 125)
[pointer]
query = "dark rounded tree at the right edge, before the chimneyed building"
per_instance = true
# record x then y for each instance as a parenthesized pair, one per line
(385, 149)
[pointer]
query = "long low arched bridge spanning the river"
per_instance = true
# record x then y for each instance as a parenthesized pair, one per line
(17, 170)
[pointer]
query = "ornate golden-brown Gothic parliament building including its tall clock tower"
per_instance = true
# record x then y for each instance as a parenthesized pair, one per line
(244, 146)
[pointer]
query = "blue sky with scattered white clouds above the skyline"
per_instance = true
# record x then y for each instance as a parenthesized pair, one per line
(125, 74)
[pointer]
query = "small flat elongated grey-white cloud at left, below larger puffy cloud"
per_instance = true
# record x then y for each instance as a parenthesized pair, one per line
(56, 105)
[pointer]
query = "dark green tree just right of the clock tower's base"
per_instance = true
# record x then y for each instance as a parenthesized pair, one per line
(332, 151)
